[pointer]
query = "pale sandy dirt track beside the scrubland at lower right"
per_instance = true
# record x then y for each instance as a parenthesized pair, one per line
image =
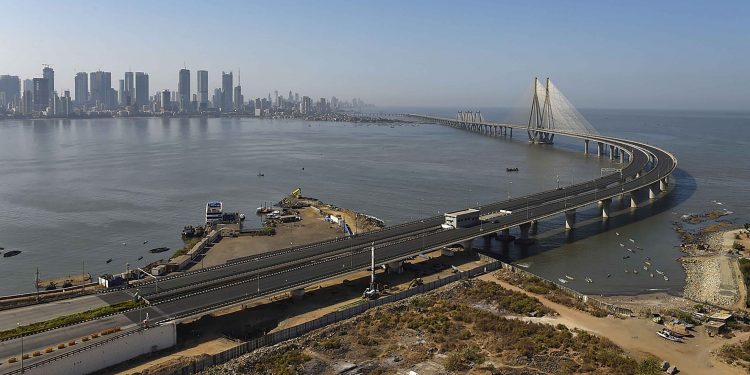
(638, 337)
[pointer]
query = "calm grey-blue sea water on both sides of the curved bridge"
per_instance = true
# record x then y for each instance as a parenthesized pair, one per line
(76, 193)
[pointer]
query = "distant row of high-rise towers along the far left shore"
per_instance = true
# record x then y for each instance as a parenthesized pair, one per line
(94, 93)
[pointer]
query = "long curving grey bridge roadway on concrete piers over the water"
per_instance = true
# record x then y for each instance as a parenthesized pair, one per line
(193, 294)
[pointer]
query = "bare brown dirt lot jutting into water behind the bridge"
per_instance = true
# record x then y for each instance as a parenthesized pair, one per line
(312, 228)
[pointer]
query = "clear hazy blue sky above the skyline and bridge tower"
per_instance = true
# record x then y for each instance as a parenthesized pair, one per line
(601, 54)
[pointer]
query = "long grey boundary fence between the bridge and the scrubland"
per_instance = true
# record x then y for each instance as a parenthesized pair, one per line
(301, 329)
